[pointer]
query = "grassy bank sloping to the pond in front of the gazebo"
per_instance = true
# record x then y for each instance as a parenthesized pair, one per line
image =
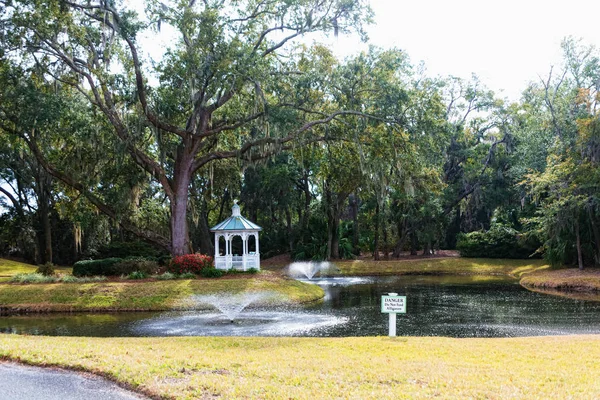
(152, 295)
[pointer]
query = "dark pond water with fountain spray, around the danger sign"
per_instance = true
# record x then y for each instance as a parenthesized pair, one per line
(436, 306)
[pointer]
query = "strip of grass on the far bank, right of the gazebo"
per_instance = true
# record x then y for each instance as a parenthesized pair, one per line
(442, 266)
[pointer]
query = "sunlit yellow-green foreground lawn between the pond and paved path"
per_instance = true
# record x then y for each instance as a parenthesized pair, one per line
(328, 368)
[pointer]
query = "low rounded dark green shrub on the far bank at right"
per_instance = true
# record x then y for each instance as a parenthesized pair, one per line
(498, 242)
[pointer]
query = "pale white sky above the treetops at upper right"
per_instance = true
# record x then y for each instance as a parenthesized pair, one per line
(506, 43)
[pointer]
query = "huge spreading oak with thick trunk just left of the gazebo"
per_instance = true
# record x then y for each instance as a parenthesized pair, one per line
(215, 94)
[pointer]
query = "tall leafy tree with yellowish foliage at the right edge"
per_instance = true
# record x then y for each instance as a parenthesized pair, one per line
(566, 184)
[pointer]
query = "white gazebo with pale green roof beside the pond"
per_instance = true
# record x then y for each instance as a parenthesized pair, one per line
(236, 225)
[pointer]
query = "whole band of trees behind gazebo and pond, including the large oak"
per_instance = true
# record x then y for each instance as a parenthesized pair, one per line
(103, 151)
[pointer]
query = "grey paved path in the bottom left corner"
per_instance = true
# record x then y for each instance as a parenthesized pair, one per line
(18, 382)
